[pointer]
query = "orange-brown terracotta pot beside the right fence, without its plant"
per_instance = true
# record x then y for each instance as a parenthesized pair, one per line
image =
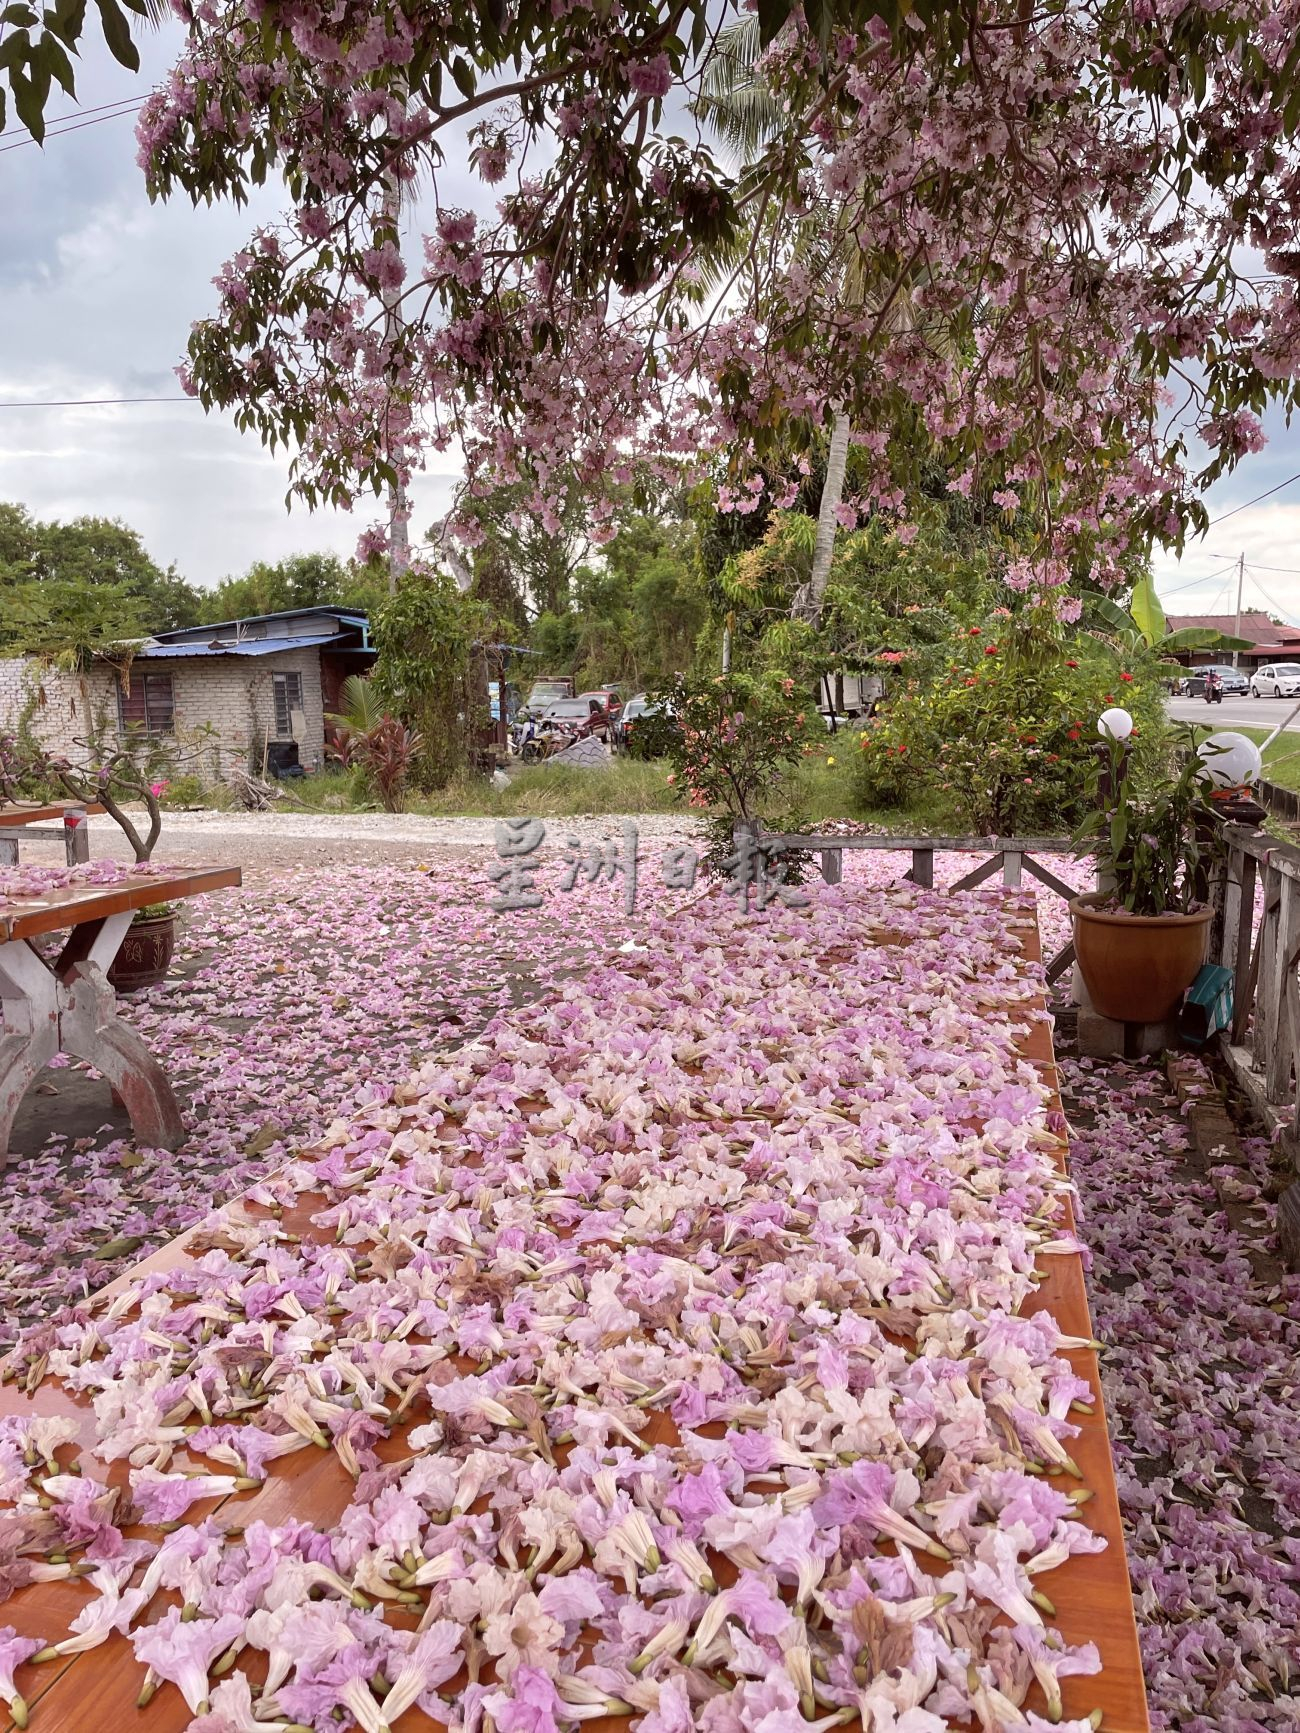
(1138, 968)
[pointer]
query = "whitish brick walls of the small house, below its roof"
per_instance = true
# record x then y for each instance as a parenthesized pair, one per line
(230, 694)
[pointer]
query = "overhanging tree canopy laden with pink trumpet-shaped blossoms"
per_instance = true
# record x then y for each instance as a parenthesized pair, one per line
(1050, 243)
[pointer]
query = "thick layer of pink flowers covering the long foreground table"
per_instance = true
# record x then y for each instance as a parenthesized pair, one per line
(686, 1288)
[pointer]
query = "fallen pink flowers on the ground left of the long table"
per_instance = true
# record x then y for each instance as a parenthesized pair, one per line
(296, 1003)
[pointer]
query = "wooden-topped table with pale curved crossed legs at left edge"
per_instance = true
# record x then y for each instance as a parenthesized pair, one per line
(68, 1006)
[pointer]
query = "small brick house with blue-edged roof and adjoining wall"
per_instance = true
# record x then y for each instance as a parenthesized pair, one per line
(244, 682)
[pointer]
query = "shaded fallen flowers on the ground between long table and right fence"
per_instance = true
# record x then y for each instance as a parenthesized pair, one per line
(1202, 1380)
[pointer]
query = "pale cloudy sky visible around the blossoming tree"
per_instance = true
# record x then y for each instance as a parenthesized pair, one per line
(98, 292)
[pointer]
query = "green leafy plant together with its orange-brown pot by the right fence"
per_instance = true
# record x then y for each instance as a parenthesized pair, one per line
(1141, 940)
